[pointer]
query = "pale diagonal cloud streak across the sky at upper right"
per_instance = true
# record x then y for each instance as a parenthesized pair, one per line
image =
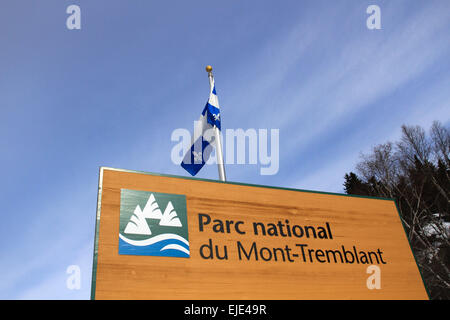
(366, 71)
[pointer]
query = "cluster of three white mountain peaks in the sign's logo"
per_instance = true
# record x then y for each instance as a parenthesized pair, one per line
(138, 223)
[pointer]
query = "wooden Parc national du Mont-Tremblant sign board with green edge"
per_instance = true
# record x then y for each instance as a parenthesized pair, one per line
(168, 237)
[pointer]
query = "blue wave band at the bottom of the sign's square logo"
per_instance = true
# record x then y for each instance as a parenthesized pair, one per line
(162, 248)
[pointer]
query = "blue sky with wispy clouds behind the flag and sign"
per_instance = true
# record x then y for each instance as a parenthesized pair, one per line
(111, 94)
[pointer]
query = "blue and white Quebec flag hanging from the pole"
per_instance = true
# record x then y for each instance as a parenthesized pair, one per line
(203, 141)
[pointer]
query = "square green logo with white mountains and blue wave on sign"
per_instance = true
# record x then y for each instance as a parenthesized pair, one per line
(147, 230)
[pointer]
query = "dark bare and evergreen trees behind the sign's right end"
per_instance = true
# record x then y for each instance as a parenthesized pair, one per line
(415, 171)
